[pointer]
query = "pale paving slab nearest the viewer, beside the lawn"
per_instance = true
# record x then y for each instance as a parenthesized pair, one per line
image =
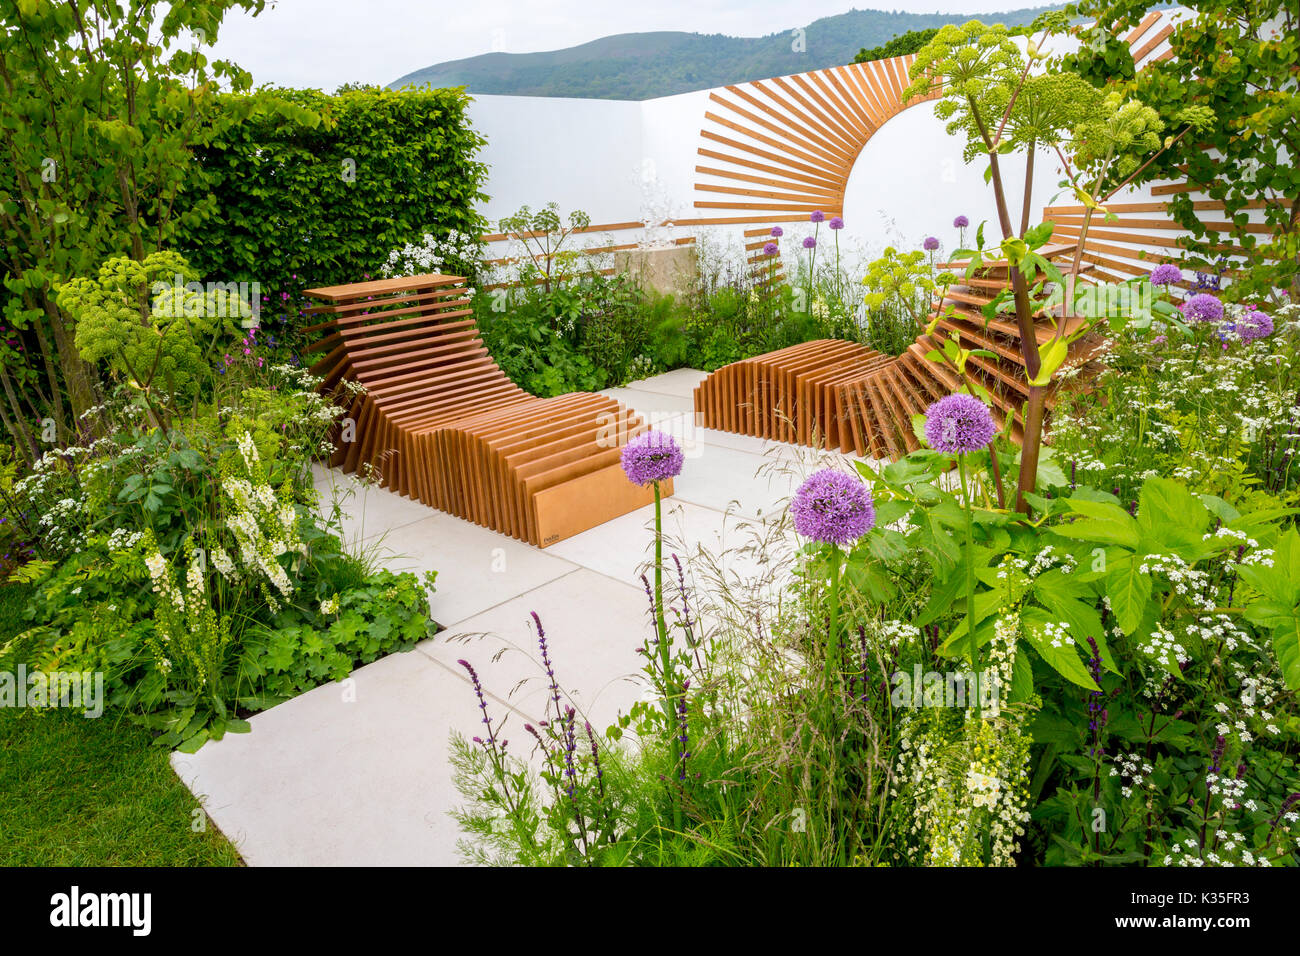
(326, 782)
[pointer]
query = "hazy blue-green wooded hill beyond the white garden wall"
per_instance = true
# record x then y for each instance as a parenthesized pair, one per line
(639, 67)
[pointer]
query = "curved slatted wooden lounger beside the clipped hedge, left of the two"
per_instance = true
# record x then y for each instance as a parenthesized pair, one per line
(441, 423)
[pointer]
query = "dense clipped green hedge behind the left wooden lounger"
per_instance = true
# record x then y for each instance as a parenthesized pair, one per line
(284, 206)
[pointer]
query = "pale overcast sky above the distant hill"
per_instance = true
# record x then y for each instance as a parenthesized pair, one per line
(323, 44)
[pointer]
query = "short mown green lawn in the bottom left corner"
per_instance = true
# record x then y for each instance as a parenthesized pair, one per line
(93, 793)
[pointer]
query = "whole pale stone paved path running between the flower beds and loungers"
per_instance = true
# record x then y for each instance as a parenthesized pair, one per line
(328, 781)
